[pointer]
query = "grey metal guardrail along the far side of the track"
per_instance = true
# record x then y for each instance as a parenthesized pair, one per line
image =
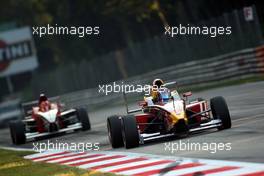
(232, 66)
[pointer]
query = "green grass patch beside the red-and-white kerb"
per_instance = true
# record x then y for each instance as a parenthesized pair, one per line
(12, 163)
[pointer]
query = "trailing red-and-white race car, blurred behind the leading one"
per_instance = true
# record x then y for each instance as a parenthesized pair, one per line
(53, 119)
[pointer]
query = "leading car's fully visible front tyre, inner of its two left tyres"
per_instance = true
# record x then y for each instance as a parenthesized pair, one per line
(130, 131)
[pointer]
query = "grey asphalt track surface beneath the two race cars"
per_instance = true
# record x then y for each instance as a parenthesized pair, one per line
(245, 139)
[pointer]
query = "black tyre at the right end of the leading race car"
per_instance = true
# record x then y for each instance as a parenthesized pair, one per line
(220, 111)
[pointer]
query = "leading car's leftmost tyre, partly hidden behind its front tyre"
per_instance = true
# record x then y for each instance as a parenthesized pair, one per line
(114, 131)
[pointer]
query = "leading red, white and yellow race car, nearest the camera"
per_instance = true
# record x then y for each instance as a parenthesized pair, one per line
(178, 116)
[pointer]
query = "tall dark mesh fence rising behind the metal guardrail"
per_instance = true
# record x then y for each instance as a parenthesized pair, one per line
(153, 54)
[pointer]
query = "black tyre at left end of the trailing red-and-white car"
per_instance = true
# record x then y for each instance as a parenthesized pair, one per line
(17, 131)
